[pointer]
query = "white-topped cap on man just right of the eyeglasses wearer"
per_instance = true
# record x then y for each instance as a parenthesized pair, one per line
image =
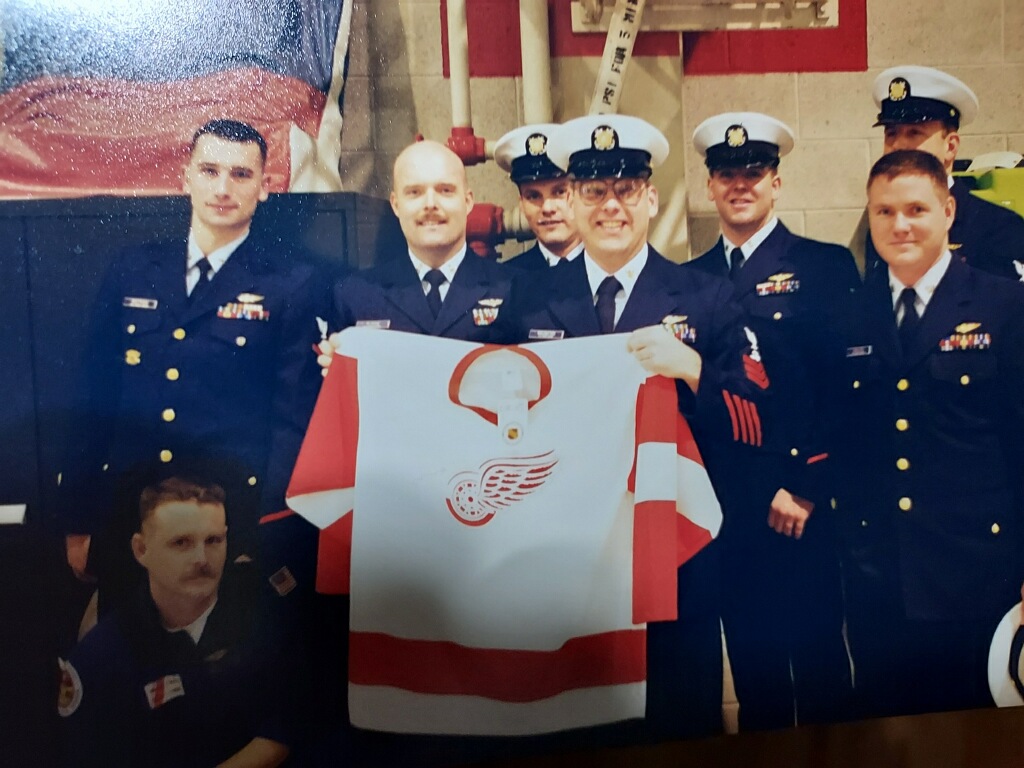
(743, 140)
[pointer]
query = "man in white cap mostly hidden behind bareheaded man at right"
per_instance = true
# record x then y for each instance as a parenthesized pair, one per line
(923, 109)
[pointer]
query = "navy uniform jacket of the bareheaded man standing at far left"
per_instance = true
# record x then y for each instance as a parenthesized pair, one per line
(232, 376)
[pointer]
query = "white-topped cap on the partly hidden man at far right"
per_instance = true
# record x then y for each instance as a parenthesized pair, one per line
(917, 95)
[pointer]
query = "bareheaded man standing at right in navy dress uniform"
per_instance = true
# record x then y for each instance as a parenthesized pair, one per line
(930, 504)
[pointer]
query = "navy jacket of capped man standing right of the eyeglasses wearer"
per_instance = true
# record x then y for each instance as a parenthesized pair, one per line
(788, 288)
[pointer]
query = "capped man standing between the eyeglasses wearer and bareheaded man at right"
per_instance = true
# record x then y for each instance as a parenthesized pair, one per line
(782, 594)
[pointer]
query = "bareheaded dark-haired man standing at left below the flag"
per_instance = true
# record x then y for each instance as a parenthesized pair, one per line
(197, 347)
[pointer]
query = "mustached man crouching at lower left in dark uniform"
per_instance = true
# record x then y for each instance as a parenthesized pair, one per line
(178, 677)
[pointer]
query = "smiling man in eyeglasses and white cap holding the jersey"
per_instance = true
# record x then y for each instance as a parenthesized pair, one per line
(681, 324)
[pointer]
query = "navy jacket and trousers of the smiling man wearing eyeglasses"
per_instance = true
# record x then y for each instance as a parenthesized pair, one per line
(685, 687)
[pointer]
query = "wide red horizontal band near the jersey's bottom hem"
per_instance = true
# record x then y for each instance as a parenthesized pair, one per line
(447, 668)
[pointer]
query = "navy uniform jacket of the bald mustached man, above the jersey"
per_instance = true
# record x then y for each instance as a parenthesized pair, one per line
(391, 295)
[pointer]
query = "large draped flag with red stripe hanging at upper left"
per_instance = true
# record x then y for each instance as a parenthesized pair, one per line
(105, 98)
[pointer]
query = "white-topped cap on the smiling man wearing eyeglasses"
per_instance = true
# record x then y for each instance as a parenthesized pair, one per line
(608, 146)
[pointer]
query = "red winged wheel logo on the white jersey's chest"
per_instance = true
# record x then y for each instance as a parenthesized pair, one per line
(476, 497)
